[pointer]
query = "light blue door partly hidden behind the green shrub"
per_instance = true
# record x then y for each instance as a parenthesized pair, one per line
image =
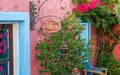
(85, 35)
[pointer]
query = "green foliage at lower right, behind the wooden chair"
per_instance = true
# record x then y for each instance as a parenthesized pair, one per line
(106, 59)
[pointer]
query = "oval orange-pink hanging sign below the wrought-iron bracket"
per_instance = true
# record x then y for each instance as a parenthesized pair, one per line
(51, 26)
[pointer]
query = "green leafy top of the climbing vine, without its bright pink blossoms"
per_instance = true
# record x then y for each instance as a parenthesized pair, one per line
(102, 17)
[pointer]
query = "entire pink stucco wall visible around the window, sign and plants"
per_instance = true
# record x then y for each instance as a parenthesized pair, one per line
(51, 8)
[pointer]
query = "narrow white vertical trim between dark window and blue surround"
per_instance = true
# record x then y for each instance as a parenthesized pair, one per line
(15, 49)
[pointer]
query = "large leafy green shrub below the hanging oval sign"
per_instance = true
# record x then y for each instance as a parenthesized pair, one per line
(50, 56)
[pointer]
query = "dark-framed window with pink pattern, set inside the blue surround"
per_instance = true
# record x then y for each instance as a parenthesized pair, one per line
(6, 49)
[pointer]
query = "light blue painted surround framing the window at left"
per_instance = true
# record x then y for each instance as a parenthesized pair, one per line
(24, 38)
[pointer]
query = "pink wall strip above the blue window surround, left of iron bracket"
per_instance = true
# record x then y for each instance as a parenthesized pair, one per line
(14, 5)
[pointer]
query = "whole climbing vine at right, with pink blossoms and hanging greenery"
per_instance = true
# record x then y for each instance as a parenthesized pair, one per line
(104, 16)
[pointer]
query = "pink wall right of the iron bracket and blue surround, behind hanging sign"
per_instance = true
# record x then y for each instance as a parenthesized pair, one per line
(48, 9)
